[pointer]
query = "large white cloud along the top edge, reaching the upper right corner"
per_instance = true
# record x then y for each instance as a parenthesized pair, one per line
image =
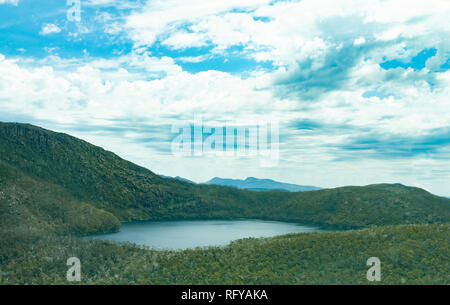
(290, 26)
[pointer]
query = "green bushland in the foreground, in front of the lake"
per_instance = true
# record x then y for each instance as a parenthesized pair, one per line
(409, 255)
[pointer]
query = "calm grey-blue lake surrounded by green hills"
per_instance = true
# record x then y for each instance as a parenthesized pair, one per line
(185, 234)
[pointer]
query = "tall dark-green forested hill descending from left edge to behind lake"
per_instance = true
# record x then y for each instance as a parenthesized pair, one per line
(93, 175)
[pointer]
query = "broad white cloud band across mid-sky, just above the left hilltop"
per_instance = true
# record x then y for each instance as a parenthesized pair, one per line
(115, 89)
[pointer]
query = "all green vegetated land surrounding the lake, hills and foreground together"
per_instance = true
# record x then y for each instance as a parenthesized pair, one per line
(54, 187)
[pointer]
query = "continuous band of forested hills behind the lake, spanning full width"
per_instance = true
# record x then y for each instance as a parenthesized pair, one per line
(95, 184)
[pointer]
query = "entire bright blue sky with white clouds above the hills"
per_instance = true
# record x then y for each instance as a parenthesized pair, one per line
(359, 89)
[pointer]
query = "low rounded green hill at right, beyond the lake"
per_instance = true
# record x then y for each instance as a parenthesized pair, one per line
(372, 205)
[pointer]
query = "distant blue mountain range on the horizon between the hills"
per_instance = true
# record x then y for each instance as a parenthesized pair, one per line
(256, 184)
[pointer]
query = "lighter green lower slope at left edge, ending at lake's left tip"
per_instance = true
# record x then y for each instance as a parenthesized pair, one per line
(28, 204)
